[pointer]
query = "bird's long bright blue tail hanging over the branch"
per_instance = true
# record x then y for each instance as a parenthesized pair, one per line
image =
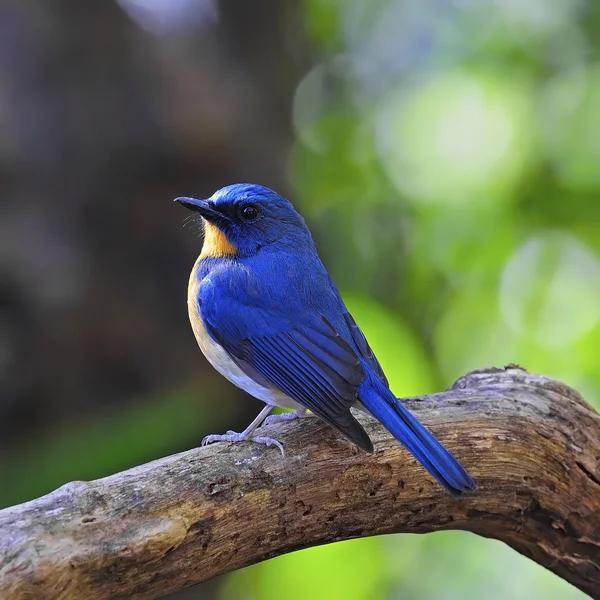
(397, 419)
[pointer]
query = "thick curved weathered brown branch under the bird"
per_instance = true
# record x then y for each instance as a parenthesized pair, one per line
(531, 443)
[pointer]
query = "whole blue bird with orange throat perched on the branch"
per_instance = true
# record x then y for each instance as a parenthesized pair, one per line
(268, 317)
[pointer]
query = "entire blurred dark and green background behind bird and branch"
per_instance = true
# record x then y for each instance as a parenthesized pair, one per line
(446, 155)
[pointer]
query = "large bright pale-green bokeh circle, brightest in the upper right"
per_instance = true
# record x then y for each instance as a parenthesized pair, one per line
(457, 139)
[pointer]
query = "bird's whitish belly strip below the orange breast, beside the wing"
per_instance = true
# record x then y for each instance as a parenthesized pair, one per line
(224, 364)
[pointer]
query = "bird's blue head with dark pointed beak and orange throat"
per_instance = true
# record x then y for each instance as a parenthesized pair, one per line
(241, 219)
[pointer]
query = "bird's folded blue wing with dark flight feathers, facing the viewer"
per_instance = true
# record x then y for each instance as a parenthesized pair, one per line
(304, 357)
